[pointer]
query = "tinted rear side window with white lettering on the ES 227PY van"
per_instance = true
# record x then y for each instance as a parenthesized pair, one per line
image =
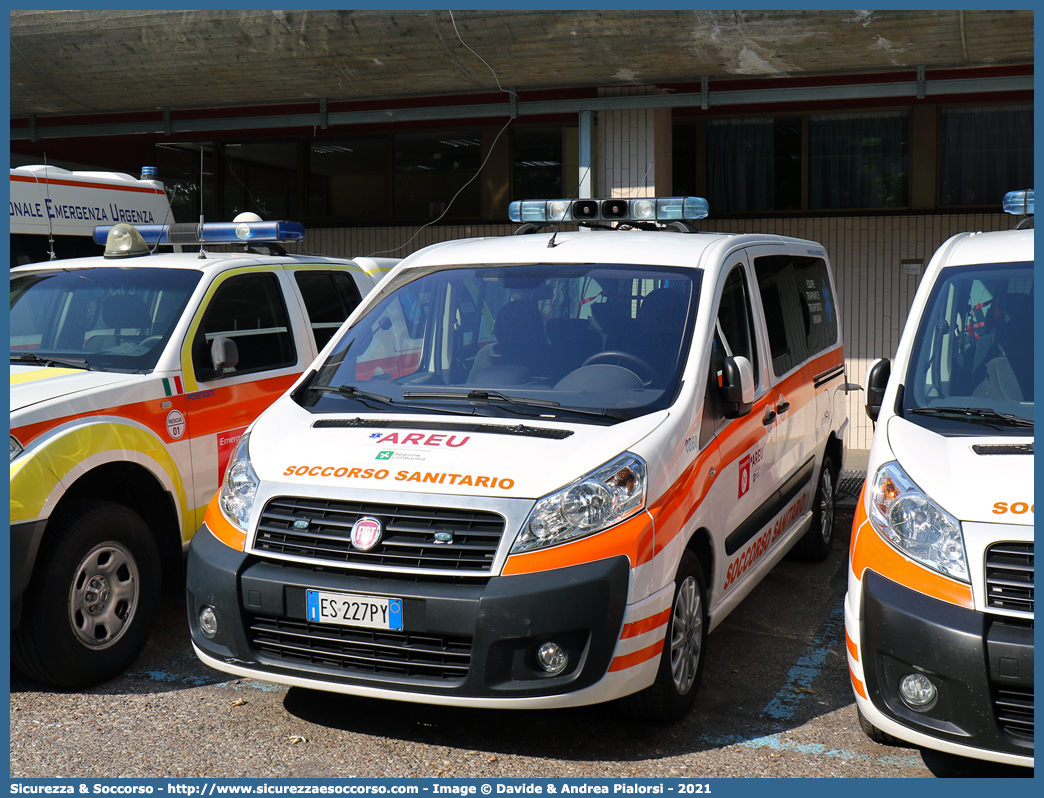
(800, 311)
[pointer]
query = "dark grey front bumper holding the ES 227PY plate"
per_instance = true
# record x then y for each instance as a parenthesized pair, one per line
(462, 640)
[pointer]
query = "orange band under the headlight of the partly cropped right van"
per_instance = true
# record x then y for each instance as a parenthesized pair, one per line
(870, 552)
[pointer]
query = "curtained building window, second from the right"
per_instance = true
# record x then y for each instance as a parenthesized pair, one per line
(859, 161)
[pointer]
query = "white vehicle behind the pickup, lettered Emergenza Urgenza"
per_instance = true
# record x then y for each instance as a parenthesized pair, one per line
(55, 212)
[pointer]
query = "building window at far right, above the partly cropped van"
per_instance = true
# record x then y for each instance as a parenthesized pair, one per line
(986, 153)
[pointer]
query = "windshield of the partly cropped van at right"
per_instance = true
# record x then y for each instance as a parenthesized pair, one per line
(972, 370)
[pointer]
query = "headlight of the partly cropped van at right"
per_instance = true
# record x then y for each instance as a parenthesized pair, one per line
(908, 519)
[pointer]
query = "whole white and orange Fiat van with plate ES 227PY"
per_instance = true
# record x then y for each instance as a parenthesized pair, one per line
(536, 471)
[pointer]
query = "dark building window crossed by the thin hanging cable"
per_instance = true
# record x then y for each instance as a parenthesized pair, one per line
(432, 174)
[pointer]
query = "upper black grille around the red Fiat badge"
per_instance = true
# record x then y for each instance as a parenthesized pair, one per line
(409, 541)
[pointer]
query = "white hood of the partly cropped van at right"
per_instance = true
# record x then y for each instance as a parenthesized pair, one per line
(970, 478)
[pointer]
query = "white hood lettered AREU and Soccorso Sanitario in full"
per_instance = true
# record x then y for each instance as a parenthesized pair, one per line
(463, 456)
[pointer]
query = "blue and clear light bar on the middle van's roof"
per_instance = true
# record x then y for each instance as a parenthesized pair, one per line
(642, 209)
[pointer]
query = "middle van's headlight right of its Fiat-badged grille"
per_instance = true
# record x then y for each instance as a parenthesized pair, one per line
(603, 499)
